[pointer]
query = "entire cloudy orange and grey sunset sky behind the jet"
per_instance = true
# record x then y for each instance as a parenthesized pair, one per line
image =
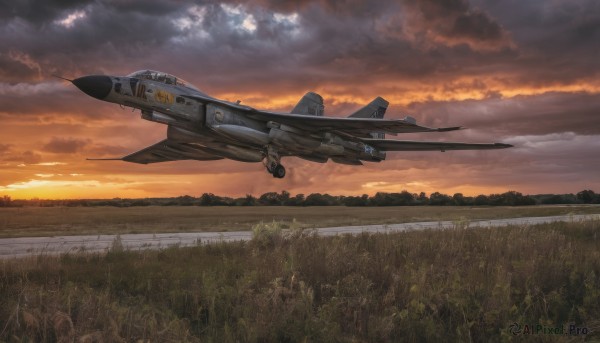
(519, 72)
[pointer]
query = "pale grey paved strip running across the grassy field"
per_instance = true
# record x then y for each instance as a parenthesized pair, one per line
(27, 246)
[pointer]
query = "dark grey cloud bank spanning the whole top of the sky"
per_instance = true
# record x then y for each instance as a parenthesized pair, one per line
(327, 42)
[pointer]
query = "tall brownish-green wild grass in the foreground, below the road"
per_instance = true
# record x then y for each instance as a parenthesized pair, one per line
(455, 285)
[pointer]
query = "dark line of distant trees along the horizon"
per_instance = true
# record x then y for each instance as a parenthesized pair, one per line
(284, 198)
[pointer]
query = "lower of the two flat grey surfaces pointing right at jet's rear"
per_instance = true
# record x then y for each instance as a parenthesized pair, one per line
(396, 145)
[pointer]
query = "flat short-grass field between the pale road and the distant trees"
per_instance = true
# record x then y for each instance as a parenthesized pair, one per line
(55, 221)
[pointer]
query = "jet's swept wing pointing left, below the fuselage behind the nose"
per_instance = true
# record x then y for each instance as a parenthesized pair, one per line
(164, 151)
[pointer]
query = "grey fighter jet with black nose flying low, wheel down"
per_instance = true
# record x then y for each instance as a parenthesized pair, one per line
(201, 127)
